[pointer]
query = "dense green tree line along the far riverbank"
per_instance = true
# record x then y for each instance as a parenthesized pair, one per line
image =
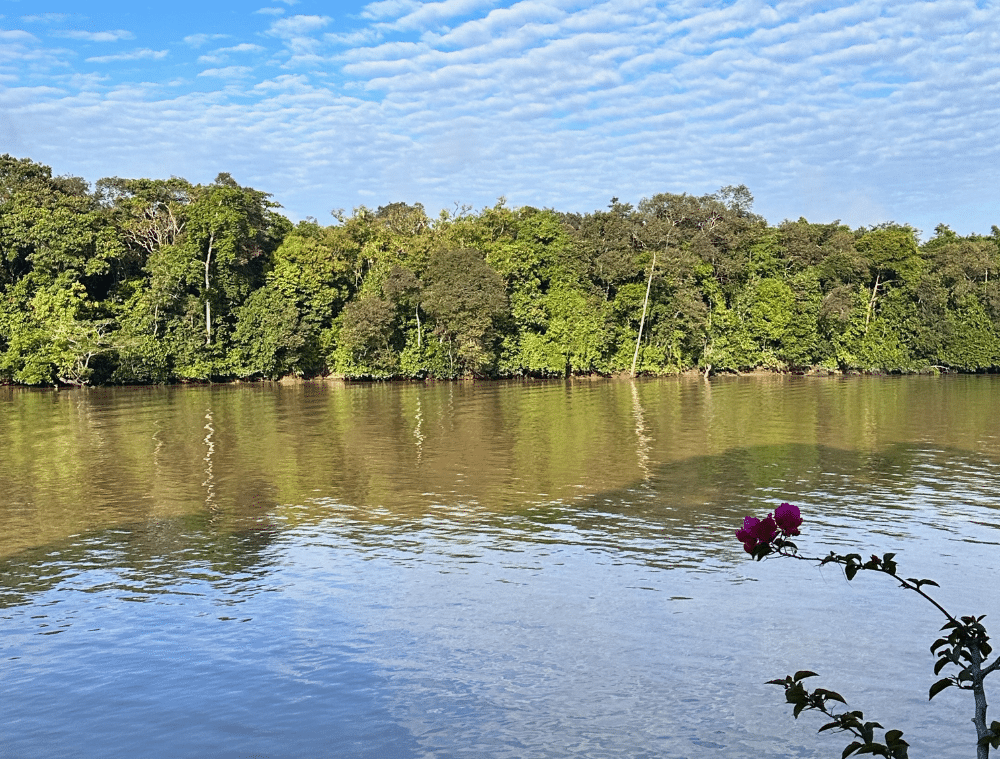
(149, 281)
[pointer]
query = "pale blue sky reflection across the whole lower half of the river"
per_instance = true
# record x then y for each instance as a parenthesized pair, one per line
(557, 633)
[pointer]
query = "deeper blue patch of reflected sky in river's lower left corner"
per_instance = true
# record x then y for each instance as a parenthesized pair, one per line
(193, 663)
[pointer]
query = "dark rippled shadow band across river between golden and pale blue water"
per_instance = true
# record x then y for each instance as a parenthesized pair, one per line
(680, 514)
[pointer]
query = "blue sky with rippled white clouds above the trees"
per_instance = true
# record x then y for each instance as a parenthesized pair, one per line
(866, 111)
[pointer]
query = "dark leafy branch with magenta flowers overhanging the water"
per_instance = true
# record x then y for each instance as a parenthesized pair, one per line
(964, 644)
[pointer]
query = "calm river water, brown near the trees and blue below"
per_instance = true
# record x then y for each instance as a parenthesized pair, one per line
(536, 569)
